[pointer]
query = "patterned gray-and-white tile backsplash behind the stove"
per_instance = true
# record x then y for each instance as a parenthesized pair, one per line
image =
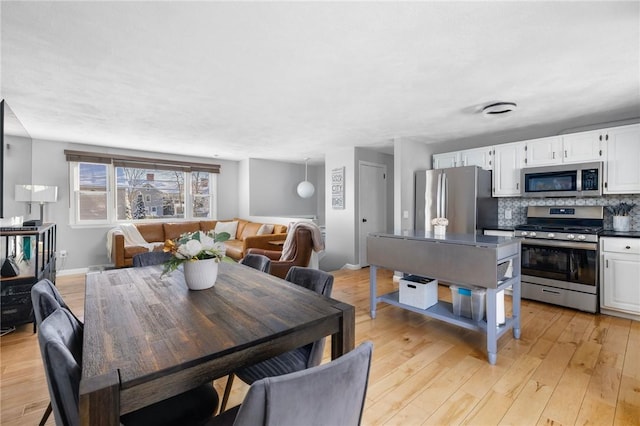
(518, 207)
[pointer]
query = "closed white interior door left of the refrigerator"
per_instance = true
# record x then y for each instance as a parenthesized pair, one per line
(372, 203)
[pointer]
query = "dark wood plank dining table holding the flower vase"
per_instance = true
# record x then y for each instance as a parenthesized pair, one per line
(147, 337)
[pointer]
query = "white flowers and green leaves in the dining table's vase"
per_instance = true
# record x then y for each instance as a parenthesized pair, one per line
(192, 246)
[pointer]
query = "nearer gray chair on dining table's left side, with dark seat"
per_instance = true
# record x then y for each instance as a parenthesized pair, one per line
(60, 336)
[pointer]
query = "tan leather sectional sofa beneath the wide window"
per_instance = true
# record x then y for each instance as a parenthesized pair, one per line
(245, 237)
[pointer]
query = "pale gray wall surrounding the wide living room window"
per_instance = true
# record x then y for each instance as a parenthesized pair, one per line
(86, 246)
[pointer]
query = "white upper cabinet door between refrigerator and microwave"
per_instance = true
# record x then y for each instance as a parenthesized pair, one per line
(508, 159)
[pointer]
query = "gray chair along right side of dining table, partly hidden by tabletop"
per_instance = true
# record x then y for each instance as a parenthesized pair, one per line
(298, 359)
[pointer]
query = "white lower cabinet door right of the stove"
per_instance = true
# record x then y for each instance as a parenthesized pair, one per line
(620, 287)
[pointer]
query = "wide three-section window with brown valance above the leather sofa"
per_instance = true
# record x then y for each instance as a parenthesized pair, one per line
(108, 190)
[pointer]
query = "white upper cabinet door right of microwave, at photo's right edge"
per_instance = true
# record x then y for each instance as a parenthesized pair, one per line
(622, 171)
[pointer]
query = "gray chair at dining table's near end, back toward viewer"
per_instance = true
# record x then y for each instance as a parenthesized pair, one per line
(329, 394)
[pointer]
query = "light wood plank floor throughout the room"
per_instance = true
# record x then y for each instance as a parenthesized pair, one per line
(568, 367)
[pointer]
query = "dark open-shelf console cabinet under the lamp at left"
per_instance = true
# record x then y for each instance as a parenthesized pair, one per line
(34, 249)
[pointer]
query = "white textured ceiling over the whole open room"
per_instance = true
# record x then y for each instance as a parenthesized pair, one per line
(286, 81)
